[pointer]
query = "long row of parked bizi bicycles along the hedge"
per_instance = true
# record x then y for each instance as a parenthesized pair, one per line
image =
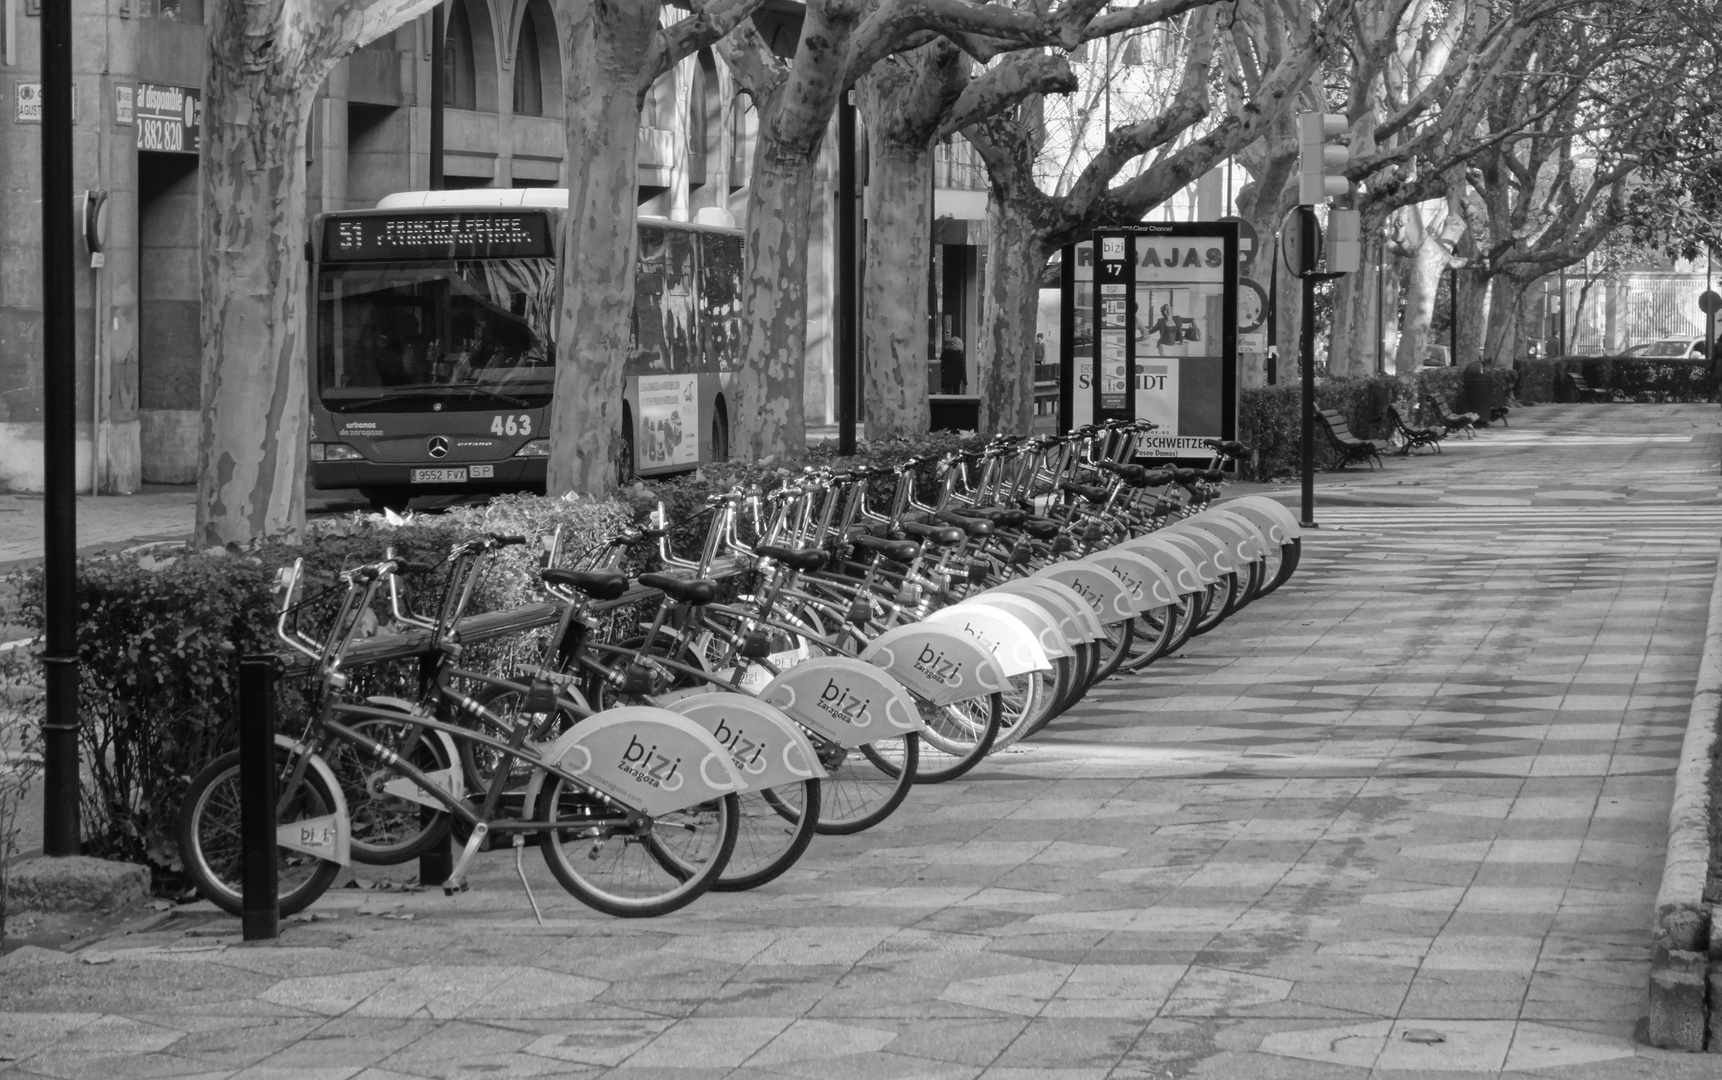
(657, 735)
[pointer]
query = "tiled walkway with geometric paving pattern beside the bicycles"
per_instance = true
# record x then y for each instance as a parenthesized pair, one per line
(1403, 819)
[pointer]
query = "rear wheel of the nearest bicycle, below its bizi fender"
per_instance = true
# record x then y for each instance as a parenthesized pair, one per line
(617, 869)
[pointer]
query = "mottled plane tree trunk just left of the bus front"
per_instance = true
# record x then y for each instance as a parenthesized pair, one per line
(264, 66)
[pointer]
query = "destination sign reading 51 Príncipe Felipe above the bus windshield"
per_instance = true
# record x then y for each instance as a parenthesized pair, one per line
(419, 235)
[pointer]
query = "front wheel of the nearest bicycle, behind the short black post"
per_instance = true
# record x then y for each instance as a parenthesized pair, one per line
(211, 841)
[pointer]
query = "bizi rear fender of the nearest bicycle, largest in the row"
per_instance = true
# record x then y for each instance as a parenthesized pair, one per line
(647, 759)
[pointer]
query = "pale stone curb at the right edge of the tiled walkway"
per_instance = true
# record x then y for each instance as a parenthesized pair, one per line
(1680, 969)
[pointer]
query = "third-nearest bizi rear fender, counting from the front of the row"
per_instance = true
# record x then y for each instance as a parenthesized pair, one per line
(845, 702)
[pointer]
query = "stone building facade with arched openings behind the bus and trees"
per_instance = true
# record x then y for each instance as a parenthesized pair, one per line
(139, 101)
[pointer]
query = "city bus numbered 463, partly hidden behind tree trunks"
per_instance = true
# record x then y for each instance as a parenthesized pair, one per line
(435, 344)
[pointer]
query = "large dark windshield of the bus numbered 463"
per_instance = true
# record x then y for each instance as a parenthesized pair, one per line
(462, 333)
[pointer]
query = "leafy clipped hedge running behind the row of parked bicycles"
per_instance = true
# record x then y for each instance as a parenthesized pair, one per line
(161, 630)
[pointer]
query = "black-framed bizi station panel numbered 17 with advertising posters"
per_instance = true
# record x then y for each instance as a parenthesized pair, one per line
(1163, 332)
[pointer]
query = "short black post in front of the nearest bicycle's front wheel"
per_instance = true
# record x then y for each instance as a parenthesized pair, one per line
(261, 903)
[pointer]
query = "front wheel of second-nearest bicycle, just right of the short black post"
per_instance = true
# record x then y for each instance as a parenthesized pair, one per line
(387, 829)
